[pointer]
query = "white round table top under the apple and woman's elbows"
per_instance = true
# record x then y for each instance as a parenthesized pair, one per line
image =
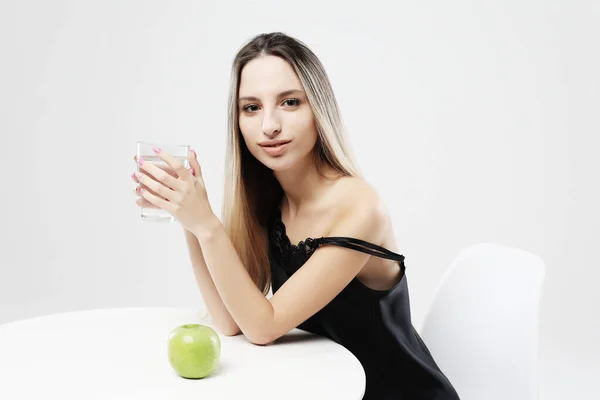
(122, 354)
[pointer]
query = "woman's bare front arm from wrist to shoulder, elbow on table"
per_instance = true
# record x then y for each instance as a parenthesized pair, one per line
(324, 276)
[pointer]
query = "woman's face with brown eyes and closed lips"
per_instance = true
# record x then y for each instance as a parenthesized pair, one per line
(273, 107)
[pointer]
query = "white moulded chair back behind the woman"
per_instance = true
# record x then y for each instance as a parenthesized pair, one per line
(482, 327)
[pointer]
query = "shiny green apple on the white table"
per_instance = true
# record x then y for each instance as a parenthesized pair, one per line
(194, 350)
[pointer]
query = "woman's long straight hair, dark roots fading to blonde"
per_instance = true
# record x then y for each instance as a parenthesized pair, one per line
(251, 189)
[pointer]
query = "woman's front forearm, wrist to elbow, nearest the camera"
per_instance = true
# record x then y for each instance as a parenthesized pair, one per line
(245, 302)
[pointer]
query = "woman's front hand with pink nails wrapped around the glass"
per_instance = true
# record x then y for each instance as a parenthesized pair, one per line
(181, 193)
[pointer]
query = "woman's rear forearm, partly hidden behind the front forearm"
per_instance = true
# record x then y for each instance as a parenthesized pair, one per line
(217, 310)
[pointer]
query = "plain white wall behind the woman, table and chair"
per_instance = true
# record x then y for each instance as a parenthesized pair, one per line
(486, 116)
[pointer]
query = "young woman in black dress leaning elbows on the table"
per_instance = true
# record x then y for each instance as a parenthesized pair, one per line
(297, 217)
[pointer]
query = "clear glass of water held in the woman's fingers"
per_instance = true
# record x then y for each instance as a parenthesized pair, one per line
(149, 211)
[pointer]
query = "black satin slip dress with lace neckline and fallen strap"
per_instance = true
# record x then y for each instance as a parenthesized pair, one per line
(374, 325)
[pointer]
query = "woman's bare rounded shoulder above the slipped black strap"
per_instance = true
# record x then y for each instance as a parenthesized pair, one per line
(357, 200)
